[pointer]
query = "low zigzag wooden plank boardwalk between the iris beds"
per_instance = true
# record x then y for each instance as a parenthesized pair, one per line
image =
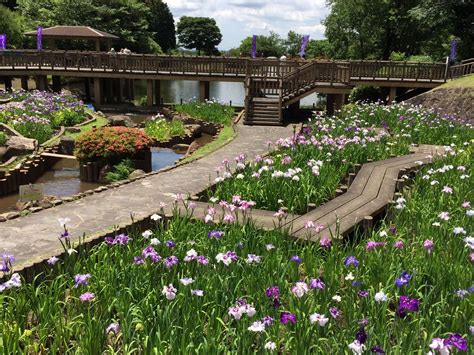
(370, 194)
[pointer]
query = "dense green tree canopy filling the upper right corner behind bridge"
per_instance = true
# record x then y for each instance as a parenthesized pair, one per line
(375, 29)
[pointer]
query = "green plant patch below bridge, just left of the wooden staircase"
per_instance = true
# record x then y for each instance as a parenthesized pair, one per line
(210, 111)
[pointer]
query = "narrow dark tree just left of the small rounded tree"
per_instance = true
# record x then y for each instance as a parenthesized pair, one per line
(161, 22)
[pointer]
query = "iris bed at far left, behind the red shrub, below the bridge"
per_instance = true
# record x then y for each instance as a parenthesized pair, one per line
(37, 114)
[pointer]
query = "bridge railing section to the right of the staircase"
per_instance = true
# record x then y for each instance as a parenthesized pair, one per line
(410, 71)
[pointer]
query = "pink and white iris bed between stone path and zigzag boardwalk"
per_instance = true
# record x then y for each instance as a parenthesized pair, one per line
(309, 167)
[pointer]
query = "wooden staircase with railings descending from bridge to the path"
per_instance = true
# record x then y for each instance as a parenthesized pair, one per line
(266, 96)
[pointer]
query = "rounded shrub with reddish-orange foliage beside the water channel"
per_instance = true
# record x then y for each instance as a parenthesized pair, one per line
(111, 144)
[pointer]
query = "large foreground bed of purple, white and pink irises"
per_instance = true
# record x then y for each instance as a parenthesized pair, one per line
(215, 288)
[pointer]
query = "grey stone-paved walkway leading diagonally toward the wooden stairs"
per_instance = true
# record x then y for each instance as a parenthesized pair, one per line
(35, 237)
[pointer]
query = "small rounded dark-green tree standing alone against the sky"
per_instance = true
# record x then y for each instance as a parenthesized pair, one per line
(200, 33)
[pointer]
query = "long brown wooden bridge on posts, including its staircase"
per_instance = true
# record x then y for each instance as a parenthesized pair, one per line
(270, 84)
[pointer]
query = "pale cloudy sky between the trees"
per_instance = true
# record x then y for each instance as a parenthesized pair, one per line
(238, 19)
